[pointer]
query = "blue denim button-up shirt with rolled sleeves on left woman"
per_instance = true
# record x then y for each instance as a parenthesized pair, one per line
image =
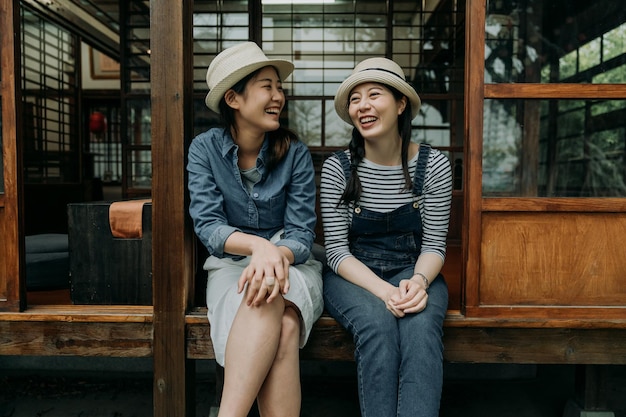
(221, 204)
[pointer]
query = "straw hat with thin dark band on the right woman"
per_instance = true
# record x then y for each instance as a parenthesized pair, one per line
(376, 70)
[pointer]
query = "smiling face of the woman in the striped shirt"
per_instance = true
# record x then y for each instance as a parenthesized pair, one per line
(374, 111)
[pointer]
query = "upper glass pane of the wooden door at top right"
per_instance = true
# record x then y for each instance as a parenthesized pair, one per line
(554, 41)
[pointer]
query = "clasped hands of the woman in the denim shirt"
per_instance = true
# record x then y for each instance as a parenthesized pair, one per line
(266, 276)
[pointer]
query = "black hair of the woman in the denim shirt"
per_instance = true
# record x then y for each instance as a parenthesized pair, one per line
(279, 139)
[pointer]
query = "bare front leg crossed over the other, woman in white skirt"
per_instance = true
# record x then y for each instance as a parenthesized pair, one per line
(250, 352)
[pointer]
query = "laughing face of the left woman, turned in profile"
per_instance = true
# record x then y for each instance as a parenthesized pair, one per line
(261, 102)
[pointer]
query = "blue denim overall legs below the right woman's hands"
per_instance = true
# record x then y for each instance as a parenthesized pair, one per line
(399, 360)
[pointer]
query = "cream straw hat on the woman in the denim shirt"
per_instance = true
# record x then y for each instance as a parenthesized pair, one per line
(233, 64)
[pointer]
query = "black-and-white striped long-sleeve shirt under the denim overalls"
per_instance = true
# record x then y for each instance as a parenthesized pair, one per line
(383, 191)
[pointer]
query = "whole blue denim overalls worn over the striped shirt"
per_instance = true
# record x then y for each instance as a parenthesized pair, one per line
(399, 360)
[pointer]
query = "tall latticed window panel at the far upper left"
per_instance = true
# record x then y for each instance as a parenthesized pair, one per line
(49, 76)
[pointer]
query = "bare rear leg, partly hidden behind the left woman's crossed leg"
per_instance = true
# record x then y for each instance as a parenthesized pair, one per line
(281, 394)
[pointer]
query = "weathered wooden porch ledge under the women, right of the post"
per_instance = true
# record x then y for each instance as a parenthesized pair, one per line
(465, 340)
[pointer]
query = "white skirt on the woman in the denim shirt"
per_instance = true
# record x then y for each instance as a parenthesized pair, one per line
(223, 301)
